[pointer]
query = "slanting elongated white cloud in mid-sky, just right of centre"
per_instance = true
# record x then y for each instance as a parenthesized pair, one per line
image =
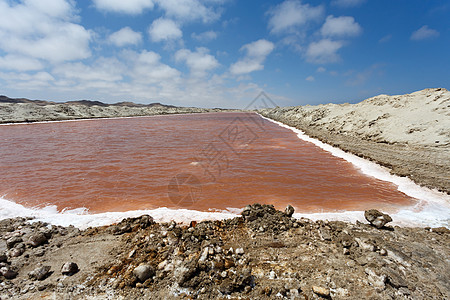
(254, 59)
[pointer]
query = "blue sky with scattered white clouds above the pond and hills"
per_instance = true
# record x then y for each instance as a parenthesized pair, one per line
(222, 53)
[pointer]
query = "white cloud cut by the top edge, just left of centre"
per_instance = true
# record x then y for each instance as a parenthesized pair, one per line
(189, 10)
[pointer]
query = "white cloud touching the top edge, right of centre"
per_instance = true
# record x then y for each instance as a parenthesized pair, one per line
(291, 14)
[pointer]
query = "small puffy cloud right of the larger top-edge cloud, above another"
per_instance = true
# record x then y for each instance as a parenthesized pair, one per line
(340, 27)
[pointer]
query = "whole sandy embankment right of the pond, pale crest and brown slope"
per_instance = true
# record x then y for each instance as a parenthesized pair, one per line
(409, 134)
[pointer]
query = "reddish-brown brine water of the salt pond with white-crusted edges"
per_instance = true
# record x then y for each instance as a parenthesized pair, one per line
(200, 161)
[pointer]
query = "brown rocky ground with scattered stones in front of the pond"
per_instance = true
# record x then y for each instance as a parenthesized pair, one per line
(263, 254)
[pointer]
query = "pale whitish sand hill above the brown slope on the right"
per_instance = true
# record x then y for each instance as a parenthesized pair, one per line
(421, 118)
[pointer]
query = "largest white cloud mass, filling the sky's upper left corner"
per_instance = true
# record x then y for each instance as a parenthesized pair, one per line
(33, 31)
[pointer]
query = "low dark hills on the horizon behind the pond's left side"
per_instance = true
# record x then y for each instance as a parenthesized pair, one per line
(5, 99)
